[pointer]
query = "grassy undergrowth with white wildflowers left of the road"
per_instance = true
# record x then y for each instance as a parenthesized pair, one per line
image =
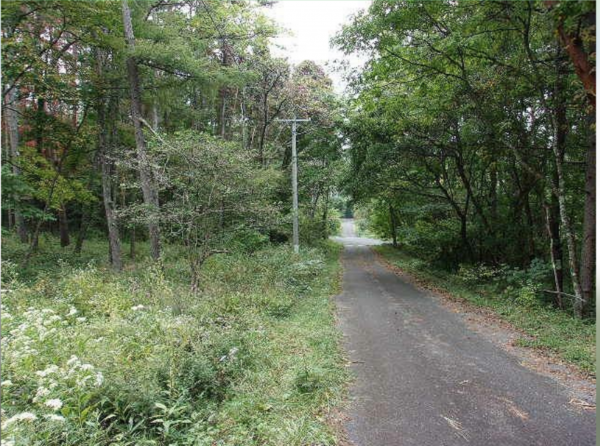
(91, 357)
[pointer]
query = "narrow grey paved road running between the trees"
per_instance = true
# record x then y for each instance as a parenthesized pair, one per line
(424, 379)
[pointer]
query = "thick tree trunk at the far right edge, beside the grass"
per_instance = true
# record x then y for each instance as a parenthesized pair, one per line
(588, 248)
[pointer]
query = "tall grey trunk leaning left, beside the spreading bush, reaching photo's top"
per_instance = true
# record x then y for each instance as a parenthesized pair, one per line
(148, 190)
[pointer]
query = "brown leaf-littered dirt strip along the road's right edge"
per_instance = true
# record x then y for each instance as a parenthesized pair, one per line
(581, 385)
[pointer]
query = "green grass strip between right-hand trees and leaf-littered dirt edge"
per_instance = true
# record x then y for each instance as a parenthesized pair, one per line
(571, 339)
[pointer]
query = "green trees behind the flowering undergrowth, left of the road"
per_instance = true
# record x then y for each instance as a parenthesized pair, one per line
(113, 114)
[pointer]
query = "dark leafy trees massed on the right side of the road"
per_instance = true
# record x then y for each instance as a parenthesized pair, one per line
(473, 137)
